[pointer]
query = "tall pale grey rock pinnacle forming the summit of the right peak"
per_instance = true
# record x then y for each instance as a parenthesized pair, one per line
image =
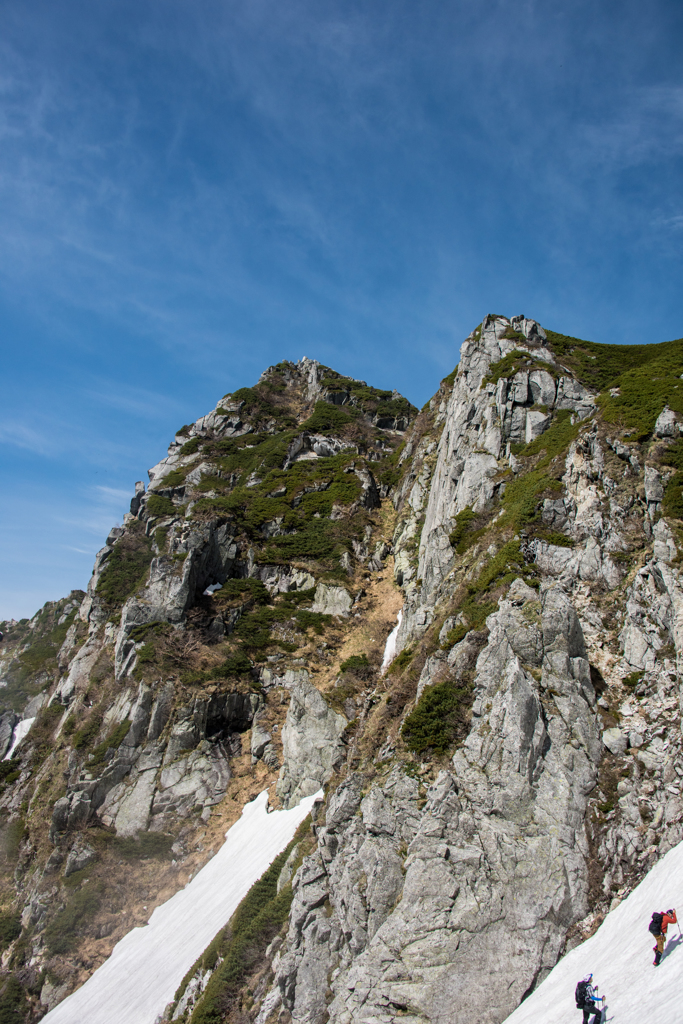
(481, 422)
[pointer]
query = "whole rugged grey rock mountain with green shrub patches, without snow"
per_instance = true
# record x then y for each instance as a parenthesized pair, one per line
(513, 775)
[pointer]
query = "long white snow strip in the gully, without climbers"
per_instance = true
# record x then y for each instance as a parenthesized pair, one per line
(141, 977)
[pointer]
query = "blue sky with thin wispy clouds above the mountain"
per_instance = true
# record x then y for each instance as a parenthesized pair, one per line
(192, 192)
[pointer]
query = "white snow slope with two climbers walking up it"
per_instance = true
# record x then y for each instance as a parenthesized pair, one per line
(620, 956)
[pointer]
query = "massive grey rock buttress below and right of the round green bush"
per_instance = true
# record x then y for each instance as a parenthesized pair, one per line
(477, 891)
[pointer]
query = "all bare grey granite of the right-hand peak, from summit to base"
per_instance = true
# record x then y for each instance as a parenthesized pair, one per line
(449, 902)
